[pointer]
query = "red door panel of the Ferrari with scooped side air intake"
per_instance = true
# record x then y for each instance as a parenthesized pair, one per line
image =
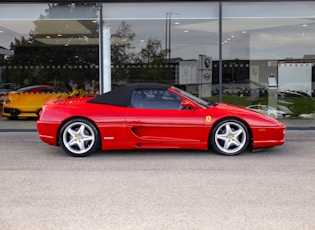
(167, 126)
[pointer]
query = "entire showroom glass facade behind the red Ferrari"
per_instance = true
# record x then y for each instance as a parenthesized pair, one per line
(255, 54)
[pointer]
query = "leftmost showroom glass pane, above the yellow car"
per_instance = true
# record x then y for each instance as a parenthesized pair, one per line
(55, 44)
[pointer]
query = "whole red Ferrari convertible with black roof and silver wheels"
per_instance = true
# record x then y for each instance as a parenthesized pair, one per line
(154, 116)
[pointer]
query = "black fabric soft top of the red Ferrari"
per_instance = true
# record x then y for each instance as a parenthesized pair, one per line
(122, 95)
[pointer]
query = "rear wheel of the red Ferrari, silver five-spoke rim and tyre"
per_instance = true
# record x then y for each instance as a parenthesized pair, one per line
(79, 137)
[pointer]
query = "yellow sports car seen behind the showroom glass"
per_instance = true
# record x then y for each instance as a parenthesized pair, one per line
(28, 101)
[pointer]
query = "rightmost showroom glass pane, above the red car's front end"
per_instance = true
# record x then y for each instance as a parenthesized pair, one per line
(264, 41)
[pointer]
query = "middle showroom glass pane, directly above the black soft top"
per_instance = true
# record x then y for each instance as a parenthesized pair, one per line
(162, 42)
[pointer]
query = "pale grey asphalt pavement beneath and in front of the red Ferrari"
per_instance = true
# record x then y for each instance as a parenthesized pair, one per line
(43, 188)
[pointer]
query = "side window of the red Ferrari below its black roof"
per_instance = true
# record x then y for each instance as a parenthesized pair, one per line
(155, 99)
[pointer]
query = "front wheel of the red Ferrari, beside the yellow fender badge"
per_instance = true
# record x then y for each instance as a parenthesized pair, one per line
(230, 137)
